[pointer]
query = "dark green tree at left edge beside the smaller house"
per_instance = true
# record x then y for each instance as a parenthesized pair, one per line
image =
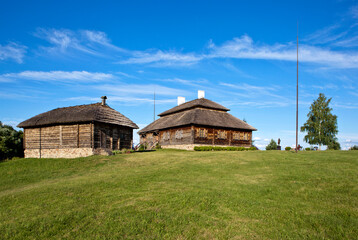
(10, 142)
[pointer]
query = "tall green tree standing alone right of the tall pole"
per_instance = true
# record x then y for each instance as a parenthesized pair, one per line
(321, 125)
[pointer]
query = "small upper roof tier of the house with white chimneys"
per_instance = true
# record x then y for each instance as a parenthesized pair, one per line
(201, 102)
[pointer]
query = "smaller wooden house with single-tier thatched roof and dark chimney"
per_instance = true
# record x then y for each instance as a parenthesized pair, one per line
(77, 131)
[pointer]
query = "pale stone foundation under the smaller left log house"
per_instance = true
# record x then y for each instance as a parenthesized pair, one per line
(62, 153)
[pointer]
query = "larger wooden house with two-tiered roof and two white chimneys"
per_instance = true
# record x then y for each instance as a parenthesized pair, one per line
(199, 122)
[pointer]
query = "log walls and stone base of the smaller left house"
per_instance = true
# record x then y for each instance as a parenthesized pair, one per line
(76, 140)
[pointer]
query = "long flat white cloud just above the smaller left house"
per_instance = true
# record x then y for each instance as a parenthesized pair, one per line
(60, 76)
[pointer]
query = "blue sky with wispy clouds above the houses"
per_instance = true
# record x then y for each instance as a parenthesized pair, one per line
(242, 53)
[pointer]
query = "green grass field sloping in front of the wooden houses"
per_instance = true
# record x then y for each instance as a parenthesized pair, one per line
(172, 194)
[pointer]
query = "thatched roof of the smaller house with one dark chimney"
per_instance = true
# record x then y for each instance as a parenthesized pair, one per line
(83, 113)
